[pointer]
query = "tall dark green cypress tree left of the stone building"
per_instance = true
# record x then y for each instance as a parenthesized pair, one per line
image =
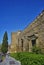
(4, 48)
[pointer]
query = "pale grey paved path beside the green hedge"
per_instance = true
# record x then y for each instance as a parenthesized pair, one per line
(10, 61)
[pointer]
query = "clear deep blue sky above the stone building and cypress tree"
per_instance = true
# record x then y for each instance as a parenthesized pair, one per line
(17, 14)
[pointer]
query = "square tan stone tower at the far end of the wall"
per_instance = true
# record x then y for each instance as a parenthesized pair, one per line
(14, 42)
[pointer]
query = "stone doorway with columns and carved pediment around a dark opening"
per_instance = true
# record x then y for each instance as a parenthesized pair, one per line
(33, 40)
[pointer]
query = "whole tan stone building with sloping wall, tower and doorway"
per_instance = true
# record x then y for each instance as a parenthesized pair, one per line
(33, 34)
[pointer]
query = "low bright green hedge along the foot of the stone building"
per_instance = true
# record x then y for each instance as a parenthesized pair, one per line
(27, 58)
